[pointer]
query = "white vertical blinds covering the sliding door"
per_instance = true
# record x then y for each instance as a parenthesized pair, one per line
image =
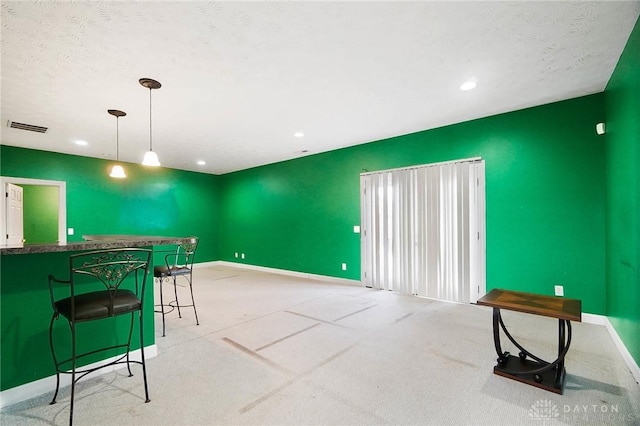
(423, 230)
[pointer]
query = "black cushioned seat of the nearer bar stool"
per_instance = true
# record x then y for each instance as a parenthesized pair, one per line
(99, 304)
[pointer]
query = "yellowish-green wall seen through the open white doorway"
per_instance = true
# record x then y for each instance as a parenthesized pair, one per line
(40, 223)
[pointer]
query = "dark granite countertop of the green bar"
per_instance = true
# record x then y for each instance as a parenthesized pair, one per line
(95, 242)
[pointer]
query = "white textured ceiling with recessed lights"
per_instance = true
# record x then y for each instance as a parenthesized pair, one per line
(239, 78)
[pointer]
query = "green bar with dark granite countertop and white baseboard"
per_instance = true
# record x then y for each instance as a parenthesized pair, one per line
(25, 308)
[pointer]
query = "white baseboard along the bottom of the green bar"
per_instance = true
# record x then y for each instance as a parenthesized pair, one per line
(48, 384)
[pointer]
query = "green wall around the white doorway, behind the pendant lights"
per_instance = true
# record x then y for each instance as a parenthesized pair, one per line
(149, 201)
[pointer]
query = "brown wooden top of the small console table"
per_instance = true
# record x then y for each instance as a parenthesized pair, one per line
(549, 306)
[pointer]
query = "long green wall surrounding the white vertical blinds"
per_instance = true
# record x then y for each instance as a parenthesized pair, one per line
(545, 200)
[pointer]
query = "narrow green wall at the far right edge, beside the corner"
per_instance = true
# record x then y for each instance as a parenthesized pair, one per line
(622, 97)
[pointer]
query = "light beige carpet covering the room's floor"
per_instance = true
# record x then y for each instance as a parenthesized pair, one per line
(276, 350)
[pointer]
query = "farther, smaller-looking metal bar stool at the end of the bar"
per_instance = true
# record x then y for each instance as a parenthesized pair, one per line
(178, 264)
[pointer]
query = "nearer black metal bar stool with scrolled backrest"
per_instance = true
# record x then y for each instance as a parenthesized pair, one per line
(103, 284)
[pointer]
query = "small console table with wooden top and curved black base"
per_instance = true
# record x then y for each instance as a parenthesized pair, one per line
(526, 367)
